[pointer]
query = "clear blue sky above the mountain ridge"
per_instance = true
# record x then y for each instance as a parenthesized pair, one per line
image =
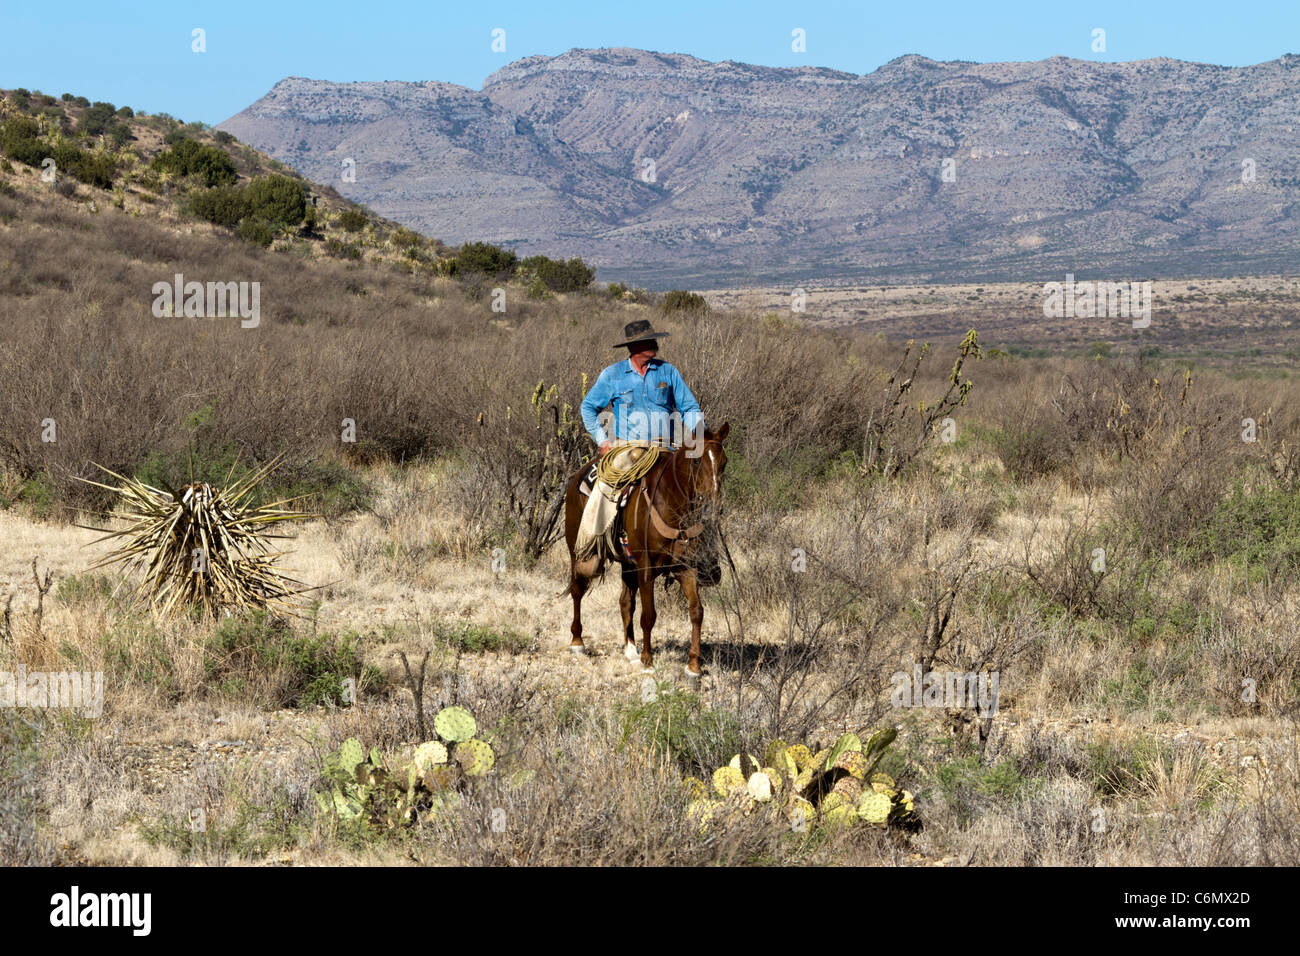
(140, 54)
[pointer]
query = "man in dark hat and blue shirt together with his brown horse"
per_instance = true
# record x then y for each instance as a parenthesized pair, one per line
(662, 492)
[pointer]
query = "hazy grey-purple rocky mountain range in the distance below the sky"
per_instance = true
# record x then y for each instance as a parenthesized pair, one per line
(670, 170)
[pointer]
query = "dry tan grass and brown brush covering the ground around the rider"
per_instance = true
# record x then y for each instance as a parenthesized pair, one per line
(1160, 693)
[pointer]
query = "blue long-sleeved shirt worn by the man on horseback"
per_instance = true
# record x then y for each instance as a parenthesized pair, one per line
(644, 406)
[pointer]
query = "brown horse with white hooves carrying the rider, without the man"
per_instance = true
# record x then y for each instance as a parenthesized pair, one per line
(671, 529)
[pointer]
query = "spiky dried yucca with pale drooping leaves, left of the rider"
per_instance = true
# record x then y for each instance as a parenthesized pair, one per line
(202, 547)
